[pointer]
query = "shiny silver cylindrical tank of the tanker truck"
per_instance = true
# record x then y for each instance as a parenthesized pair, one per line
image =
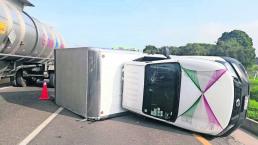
(22, 35)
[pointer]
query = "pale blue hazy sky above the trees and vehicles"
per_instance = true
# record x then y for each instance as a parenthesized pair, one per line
(137, 23)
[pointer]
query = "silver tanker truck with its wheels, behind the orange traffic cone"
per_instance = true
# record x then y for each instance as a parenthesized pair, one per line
(26, 45)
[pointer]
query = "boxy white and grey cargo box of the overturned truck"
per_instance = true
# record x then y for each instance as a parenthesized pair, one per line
(89, 80)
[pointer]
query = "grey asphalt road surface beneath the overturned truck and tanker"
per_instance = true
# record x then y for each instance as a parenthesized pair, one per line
(21, 112)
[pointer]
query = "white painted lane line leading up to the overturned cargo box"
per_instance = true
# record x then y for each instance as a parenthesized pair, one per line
(34, 133)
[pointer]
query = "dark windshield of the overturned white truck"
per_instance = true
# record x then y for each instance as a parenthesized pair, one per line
(161, 90)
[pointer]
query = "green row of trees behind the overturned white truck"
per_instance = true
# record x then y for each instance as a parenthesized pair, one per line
(236, 44)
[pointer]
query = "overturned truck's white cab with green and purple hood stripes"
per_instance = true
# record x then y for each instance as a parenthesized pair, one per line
(203, 94)
